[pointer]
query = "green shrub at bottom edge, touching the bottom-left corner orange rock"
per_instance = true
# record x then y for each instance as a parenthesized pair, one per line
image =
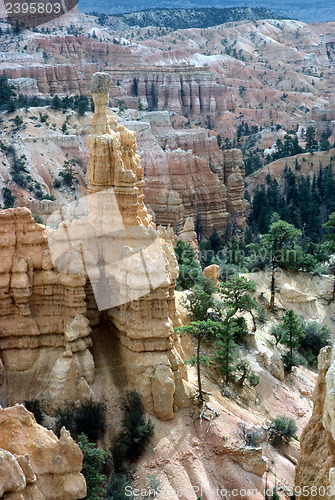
(93, 460)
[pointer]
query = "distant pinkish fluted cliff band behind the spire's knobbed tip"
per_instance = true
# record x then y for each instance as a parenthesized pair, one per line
(179, 88)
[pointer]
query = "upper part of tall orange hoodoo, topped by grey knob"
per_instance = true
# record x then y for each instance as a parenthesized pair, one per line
(113, 161)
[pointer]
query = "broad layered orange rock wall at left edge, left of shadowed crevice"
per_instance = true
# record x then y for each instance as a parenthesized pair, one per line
(38, 305)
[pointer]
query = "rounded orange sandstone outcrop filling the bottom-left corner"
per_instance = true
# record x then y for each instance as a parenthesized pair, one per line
(34, 463)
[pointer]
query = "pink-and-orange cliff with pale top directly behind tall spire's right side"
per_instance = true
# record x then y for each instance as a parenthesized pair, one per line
(187, 175)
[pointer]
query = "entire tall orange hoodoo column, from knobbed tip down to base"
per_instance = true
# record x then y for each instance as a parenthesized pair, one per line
(149, 347)
